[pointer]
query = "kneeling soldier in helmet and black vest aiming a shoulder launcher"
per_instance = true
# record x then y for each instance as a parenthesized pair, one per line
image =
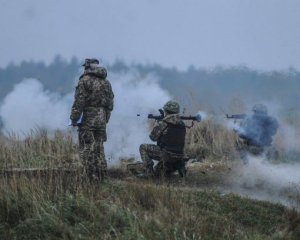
(169, 133)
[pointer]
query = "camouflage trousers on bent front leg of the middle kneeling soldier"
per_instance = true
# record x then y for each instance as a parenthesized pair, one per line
(148, 153)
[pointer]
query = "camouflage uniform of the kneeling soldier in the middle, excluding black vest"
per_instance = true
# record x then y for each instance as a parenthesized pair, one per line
(151, 152)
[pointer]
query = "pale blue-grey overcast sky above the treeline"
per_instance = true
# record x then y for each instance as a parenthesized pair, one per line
(263, 34)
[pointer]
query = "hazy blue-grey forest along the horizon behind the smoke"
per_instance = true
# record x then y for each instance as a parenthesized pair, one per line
(208, 87)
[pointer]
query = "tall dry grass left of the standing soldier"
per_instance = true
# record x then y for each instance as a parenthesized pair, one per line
(38, 150)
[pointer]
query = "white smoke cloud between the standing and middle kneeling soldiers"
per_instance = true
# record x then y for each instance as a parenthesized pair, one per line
(126, 131)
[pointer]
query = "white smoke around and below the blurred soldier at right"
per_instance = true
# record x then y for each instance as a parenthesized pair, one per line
(262, 178)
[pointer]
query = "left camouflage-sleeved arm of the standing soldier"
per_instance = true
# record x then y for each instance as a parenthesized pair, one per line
(79, 101)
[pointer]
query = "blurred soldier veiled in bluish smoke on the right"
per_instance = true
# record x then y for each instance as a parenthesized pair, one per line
(256, 131)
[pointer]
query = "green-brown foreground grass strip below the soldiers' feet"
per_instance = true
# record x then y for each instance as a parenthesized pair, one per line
(62, 207)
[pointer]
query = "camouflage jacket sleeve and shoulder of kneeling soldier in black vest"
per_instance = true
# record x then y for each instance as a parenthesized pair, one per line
(161, 126)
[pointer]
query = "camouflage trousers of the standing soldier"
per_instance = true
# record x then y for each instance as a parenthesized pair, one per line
(91, 151)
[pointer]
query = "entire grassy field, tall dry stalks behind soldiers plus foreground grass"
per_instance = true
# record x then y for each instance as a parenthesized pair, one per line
(59, 204)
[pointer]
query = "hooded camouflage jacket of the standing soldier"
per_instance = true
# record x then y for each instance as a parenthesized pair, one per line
(93, 100)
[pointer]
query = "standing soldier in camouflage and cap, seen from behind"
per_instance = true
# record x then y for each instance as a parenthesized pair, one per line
(91, 112)
